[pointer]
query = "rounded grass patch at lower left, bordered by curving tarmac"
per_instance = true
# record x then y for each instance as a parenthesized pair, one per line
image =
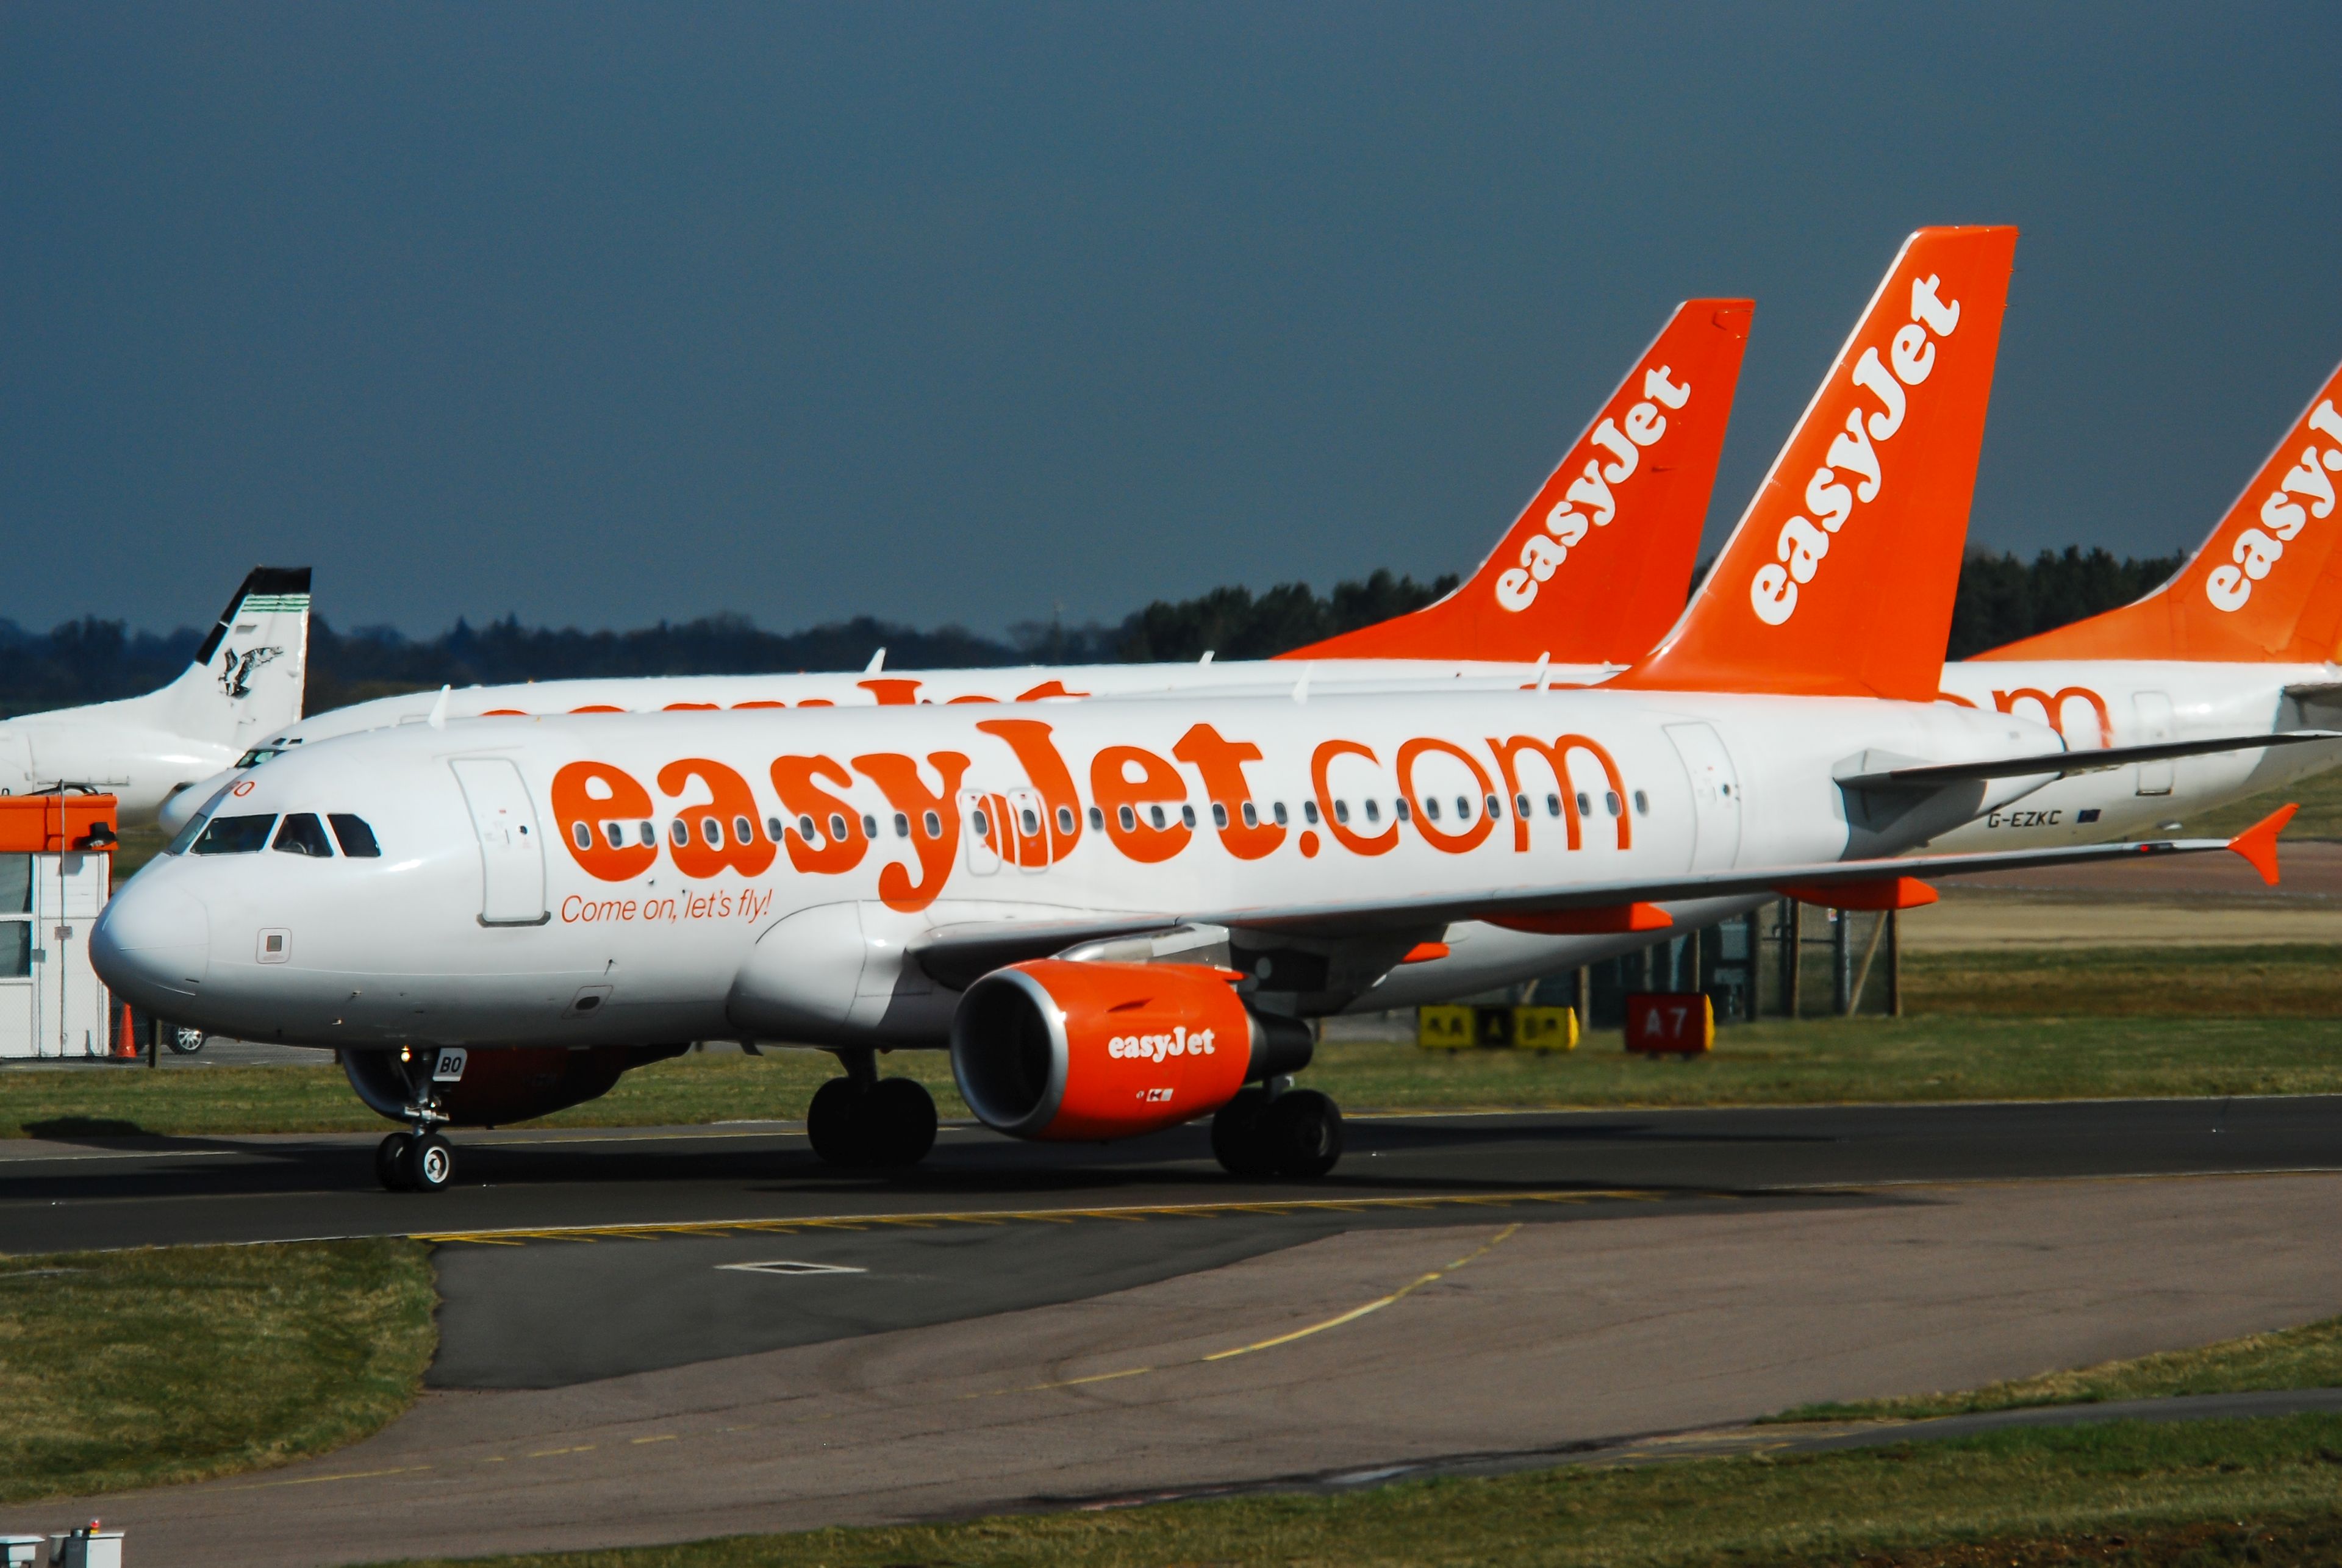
(184, 1363)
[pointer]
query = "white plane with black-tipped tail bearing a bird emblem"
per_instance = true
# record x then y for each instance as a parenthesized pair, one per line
(242, 687)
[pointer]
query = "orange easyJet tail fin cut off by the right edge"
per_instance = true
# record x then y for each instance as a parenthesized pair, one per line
(2264, 589)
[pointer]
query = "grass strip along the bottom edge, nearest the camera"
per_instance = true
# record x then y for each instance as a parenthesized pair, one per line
(2233, 1492)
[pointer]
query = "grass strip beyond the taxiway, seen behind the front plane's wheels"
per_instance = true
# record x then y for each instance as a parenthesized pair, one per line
(1985, 1026)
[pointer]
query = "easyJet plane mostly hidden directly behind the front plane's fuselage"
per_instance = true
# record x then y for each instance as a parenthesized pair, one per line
(1584, 582)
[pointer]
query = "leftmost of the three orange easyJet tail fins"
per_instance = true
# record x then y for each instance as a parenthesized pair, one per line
(1596, 565)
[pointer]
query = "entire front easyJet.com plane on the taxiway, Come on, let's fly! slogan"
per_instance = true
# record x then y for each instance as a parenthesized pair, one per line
(1116, 914)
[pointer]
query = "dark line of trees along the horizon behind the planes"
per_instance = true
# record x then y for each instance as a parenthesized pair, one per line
(93, 661)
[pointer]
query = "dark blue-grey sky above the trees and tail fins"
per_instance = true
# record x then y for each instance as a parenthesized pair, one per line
(952, 312)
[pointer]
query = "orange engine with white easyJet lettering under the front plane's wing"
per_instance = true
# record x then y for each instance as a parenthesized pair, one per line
(1090, 1052)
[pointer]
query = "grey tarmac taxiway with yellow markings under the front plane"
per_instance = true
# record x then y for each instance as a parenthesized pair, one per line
(666, 1335)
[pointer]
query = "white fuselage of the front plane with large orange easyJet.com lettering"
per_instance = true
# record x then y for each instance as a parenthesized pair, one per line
(847, 834)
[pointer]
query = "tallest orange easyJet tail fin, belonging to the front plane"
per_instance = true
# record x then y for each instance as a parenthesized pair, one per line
(1842, 575)
